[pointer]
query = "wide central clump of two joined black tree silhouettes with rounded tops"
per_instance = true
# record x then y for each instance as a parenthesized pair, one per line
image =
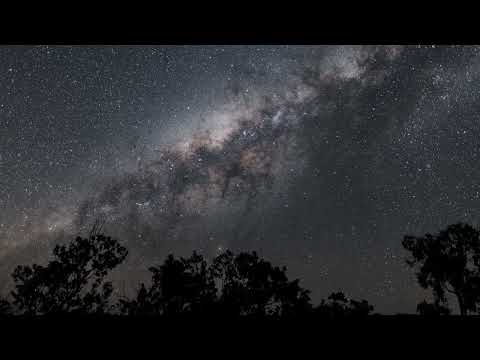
(248, 286)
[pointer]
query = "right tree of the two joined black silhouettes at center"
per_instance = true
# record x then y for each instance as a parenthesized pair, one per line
(252, 286)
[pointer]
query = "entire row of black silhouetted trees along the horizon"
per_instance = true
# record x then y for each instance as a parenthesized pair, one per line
(231, 285)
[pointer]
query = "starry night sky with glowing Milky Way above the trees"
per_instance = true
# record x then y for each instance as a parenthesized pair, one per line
(321, 158)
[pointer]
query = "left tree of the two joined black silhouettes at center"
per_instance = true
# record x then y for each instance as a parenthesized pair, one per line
(179, 286)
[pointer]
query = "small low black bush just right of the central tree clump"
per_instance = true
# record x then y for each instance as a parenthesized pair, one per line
(339, 306)
